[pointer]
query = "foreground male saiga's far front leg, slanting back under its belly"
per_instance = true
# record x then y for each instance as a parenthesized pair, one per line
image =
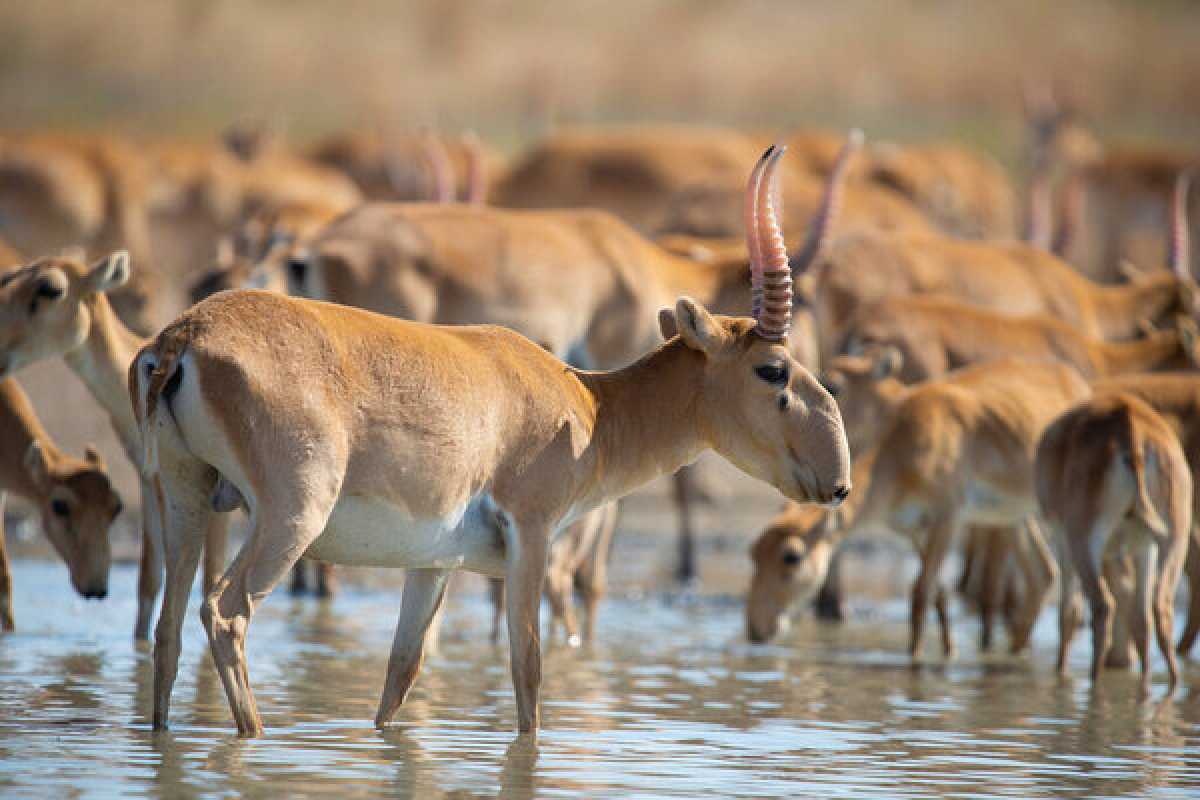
(424, 594)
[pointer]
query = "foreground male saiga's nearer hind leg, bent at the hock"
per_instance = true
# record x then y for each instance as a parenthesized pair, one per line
(286, 522)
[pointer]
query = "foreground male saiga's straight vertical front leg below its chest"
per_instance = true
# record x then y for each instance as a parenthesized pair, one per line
(527, 548)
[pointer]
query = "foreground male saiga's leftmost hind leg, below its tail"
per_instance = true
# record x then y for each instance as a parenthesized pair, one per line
(185, 515)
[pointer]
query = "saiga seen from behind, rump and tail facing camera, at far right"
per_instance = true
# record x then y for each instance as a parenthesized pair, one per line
(1113, 480)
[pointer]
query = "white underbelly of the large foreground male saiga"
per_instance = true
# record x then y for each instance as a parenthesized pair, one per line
(369, 532)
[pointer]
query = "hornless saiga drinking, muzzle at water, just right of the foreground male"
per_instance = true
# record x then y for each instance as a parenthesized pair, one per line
(949, 454)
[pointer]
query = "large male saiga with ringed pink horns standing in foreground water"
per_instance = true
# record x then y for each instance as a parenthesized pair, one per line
(365, 440)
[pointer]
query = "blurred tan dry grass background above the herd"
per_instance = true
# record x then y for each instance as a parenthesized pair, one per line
(902, 69)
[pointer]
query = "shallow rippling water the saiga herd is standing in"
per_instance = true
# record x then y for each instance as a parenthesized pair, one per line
(670, 702)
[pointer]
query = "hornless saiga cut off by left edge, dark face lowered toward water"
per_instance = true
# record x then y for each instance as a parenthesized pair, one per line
(76, 501)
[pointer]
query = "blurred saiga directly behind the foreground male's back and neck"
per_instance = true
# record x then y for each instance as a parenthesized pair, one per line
(583, 284)
